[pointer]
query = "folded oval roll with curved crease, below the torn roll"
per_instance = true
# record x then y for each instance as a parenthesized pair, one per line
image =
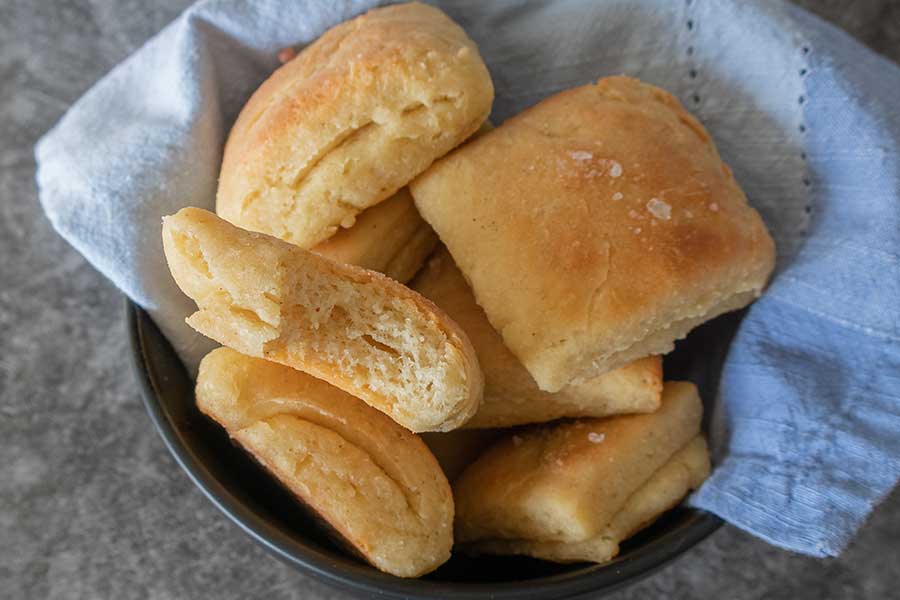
(375, 483)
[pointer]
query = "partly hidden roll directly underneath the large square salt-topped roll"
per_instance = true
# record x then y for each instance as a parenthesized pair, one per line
(511, 397)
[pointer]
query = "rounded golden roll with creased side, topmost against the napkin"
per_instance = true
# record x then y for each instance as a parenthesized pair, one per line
(349, 121)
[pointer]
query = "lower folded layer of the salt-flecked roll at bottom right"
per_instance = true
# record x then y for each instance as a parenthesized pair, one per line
(663, 491)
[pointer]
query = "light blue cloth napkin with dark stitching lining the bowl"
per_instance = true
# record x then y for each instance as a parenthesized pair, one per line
(806, 429)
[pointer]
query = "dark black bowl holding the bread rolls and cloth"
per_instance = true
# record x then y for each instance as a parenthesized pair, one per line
(259, 506)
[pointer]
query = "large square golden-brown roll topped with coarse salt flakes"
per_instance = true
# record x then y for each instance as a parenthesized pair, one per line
(597, 227)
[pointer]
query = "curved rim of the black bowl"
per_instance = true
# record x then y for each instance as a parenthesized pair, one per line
(593, 579)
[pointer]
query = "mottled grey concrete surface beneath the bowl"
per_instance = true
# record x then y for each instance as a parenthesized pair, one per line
(91, 504)
